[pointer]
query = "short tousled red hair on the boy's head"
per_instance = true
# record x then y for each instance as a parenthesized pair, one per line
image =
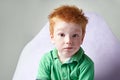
(70, 14)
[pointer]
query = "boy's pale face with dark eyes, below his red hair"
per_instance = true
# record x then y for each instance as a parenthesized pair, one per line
(67, 37)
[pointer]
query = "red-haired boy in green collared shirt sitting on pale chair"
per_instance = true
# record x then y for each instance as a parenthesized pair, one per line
(67, 60)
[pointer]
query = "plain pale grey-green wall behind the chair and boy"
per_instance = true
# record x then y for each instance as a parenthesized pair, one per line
(21, 20)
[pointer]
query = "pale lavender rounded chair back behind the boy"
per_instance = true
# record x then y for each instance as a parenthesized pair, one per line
(99, 43)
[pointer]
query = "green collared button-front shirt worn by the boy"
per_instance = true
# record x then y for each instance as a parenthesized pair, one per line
(79, 67)
